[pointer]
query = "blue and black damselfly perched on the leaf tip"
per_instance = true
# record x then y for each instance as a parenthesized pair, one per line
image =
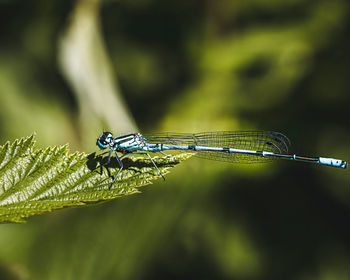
(239, 147)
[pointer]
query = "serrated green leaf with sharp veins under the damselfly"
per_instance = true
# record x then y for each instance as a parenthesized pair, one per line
(37, 181)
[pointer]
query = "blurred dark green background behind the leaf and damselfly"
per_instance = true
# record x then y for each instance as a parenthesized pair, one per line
(69, 69)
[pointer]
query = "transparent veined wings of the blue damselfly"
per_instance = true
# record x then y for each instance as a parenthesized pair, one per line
(267, 141)
